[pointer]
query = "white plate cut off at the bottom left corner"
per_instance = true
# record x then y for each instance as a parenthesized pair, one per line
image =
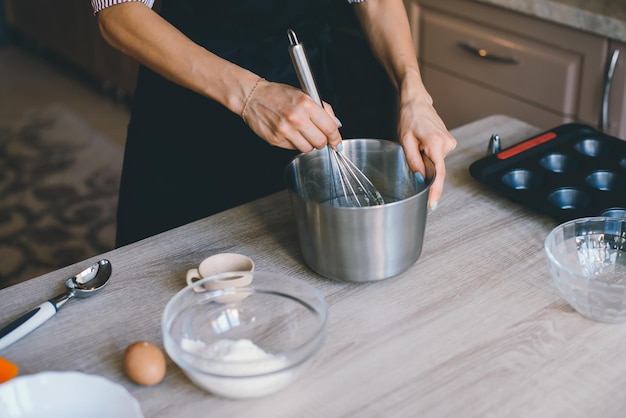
(67, 395)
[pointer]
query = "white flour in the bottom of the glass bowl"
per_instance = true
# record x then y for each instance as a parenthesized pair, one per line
(246, 362)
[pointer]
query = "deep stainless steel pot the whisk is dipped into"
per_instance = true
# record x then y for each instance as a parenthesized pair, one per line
(360, 244)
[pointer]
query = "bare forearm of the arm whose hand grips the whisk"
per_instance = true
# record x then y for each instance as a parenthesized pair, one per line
(142, 34)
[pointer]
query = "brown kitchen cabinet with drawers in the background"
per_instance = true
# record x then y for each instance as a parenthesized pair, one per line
(479, 59)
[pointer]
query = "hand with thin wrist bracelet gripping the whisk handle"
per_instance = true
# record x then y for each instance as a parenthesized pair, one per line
(287, 117)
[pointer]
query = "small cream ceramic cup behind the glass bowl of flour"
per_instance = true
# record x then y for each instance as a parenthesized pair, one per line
(221, 263)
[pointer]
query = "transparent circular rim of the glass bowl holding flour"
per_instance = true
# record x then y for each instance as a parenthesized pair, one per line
(316, 340)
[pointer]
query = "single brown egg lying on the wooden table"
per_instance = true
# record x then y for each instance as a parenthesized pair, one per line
(144, 363)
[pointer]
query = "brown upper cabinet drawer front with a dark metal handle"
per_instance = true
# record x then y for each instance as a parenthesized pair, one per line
(544, 75)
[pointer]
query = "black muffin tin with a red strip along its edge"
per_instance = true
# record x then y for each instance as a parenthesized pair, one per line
(568, 172)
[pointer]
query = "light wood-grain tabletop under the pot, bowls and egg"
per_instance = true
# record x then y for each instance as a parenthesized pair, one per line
(474, 329)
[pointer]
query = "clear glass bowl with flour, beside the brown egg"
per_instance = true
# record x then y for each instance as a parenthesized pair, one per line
(247, 341)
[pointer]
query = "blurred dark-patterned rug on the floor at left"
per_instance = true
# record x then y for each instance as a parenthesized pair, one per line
(58, 193)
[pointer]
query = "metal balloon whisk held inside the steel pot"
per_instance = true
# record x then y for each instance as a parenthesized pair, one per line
(350, 186)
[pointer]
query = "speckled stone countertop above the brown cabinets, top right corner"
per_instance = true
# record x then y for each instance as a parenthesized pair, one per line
(606, 18)
